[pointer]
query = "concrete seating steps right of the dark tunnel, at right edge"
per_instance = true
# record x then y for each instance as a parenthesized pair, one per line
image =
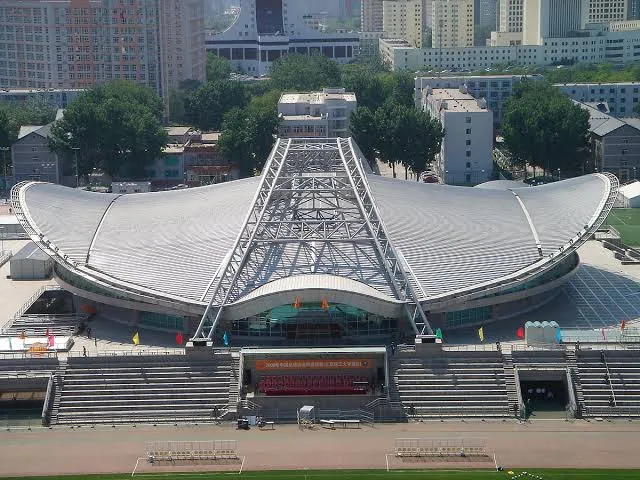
(618, 376)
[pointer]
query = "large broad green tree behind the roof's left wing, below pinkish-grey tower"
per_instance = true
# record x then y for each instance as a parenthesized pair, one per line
(115, 127)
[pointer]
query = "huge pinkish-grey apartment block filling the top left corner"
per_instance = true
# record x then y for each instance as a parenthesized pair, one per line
(78, 43)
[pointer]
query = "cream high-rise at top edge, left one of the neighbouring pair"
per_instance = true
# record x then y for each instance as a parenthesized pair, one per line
(403, 19)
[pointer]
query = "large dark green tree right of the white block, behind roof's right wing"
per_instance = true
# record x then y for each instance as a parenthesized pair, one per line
(544, 128)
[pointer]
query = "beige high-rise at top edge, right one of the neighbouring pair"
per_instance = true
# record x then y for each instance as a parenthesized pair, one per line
(452, 23)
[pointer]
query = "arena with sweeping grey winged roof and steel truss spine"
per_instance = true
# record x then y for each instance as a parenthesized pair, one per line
(317, 238)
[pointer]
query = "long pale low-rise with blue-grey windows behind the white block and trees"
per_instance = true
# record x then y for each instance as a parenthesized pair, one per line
(495, 89)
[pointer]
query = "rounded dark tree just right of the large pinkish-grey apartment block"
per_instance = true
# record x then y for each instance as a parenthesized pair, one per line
(206, 107)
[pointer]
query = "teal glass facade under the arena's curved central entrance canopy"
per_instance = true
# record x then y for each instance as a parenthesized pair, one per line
(312, 321)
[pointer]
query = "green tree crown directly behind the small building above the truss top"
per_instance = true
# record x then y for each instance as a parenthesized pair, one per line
(304, 73)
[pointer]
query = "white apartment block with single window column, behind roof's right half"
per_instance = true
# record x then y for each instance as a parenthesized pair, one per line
(466, 155)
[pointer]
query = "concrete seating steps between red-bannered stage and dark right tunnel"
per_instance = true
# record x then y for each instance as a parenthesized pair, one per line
(454, 384)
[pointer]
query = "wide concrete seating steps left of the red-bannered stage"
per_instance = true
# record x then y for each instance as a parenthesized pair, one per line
(144, 389)
